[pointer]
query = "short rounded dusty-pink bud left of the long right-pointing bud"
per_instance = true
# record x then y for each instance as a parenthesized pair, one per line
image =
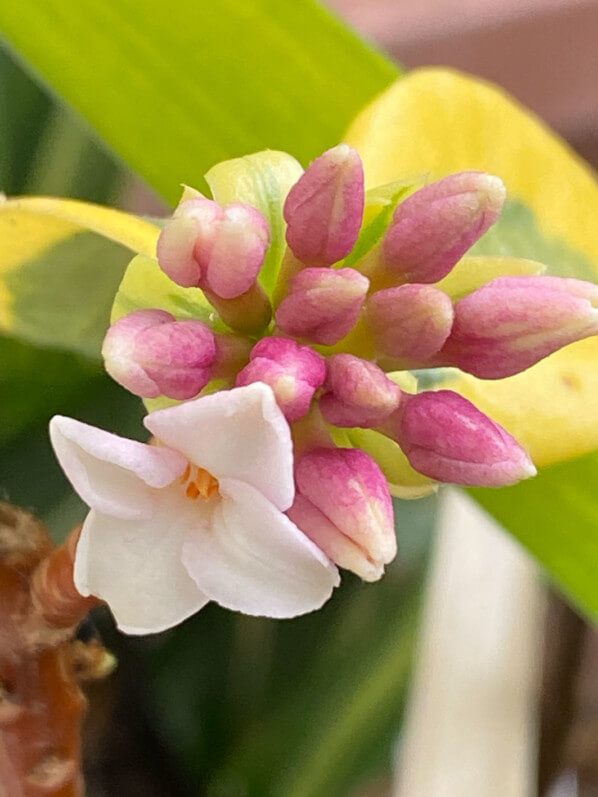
(410, 322)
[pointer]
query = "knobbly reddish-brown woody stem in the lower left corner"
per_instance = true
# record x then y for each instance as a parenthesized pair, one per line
(41, 704)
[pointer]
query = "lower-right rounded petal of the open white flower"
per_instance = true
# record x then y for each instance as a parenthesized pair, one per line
(255, 560)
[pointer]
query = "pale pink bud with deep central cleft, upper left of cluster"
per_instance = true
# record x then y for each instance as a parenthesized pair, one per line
(219, 249)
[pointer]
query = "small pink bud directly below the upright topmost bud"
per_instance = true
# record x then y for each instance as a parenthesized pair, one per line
(323, 304)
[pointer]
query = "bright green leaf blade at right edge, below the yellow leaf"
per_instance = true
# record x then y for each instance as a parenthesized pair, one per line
(555, 516)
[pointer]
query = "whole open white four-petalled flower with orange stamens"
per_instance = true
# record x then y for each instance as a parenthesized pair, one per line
(197, 518)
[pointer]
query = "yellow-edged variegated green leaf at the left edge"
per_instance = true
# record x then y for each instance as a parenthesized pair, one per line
(60, 266)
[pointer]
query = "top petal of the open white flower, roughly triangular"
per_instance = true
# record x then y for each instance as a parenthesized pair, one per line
(238, 434)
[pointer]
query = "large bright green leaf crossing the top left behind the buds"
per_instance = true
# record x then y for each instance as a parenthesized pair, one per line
(175, 88)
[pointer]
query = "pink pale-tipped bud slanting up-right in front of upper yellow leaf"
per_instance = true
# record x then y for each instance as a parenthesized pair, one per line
(434, 227)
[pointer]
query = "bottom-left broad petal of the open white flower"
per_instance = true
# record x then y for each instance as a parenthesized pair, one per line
(135, 566)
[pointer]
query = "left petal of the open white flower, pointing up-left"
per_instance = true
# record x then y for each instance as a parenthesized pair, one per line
(114, 475)
